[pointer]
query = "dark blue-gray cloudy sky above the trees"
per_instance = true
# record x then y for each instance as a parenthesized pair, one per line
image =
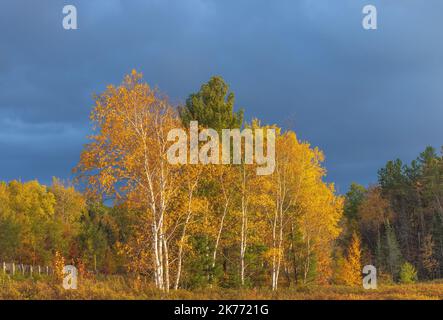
(363, 97)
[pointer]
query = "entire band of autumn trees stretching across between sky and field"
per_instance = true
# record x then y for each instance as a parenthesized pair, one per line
(130, 215)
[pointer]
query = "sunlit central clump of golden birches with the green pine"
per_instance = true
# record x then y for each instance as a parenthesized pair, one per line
(203, 224)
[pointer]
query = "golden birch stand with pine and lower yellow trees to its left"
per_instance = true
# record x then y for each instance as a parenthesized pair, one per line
(183, 226)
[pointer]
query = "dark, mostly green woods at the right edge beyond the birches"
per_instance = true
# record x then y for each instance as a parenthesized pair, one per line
(400, 219)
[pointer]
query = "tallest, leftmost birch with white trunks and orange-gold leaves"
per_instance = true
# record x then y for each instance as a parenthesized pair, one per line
(127, 155)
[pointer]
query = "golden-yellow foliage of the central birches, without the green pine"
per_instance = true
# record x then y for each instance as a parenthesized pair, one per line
(227, 204)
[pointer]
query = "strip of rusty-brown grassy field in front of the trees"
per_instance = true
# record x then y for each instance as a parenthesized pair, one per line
(121, 288)
